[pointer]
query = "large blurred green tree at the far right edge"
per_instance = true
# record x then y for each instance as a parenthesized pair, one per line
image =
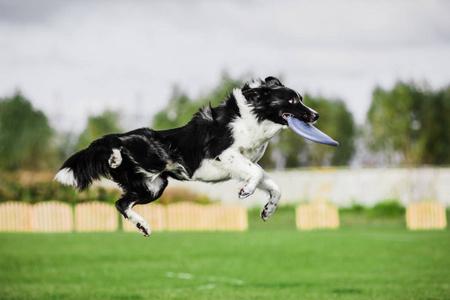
(410, 120)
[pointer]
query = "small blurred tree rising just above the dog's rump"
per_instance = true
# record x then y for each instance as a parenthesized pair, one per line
(97, 126)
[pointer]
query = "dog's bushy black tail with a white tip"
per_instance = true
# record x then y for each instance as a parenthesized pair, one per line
(87, 165)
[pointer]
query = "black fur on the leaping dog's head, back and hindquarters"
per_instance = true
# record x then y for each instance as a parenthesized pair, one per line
(178, 152)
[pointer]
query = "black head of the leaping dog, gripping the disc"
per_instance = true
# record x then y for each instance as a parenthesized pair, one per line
(271, 100)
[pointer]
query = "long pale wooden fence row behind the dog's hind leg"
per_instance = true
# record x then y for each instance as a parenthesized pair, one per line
(56, 216)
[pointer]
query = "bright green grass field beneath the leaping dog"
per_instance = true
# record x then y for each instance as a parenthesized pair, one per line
(271, 261)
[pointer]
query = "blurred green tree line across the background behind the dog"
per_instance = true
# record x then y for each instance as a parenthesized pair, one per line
(408, 124)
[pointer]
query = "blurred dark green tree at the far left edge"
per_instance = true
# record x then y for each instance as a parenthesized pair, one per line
(25, 135)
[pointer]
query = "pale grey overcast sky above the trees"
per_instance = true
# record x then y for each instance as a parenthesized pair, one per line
(74, 58)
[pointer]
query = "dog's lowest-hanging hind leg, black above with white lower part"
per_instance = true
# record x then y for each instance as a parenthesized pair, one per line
(142, 195)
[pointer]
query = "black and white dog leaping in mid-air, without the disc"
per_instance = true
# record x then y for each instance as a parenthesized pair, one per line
(218, 144)
